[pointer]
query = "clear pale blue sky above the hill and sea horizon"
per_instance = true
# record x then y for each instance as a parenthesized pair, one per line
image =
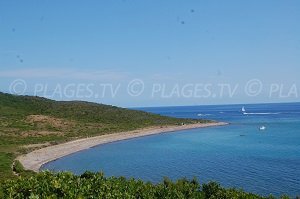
(134, 53)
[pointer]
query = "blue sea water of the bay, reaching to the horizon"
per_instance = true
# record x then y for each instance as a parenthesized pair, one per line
(238, 155)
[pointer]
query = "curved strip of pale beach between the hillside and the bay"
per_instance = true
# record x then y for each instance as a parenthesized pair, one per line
(36, 159)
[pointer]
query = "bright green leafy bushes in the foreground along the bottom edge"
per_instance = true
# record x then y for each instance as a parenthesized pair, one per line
(95, 185)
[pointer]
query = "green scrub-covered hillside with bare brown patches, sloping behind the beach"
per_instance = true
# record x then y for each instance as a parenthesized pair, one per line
(28, 123)
